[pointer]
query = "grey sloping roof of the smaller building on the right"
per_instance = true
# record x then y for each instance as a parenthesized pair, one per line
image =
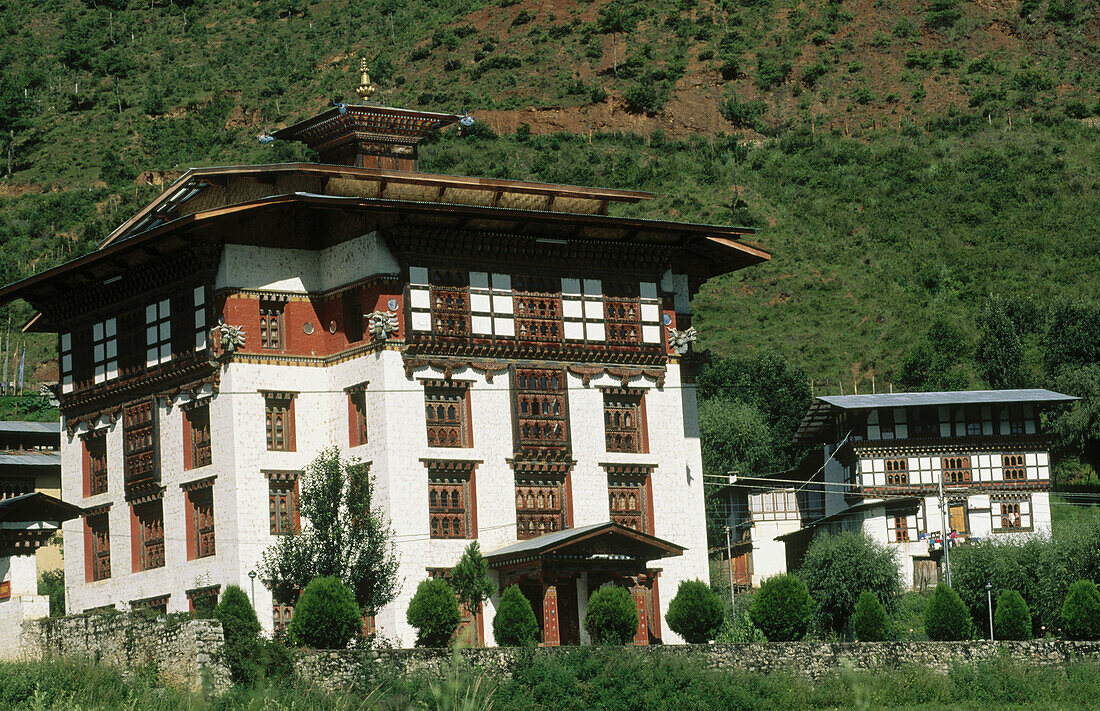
(823, 409)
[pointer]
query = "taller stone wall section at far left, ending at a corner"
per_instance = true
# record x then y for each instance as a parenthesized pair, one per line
(185, 654)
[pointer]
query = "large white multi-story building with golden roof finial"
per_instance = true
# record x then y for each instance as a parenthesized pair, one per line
(505, 357)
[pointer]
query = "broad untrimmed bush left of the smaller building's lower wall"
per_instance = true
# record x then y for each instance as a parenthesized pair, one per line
(838, 568)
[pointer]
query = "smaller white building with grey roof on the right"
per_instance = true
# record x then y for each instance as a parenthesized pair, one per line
(912, 471)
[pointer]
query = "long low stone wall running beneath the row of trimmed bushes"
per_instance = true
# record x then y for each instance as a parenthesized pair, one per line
(342, 670)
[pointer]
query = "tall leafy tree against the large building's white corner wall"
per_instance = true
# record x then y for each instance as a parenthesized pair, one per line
(346, 537)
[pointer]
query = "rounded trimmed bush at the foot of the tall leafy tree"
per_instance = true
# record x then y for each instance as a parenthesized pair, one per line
(326, 616)
